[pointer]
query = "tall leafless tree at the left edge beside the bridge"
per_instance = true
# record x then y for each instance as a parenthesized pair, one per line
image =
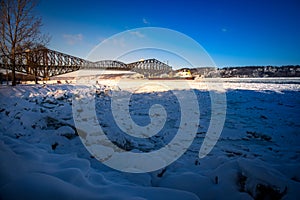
(20, 30)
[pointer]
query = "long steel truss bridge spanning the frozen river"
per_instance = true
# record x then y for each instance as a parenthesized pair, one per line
(45, 63)
